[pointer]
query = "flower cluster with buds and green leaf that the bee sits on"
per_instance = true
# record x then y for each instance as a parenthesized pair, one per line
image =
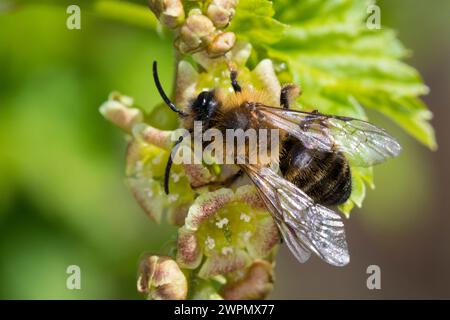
(227, 240)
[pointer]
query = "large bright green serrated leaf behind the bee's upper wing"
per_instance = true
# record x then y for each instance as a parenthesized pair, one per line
(343, 68)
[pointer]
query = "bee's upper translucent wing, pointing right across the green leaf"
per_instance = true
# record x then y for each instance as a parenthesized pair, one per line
(362, 143)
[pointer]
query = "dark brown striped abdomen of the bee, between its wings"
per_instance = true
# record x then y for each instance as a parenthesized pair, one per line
(324, 176)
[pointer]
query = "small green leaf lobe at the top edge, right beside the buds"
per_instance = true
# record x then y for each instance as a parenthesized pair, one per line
(254, 21)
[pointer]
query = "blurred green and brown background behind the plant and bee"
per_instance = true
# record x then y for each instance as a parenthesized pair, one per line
(63, 199)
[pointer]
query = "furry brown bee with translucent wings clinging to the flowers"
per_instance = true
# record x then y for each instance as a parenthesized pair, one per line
(316, 154)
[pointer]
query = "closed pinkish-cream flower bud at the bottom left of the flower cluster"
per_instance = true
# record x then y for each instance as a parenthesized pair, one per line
(160, 278)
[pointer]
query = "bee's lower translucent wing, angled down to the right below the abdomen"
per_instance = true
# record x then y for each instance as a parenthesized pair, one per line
(304, 225)
